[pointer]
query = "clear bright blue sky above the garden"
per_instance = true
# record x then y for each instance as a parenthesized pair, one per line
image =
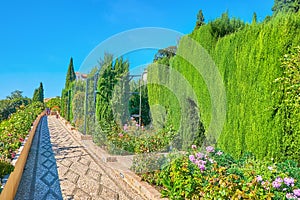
(37, 38)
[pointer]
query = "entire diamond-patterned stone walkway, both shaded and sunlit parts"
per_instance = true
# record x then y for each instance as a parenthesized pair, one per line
(66, 170)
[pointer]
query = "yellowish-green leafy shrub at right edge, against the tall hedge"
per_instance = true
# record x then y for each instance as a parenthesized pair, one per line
(287, 104)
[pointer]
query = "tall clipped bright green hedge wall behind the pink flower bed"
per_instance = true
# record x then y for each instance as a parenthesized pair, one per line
(249, 62)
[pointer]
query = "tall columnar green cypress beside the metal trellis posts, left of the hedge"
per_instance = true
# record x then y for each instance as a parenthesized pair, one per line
(111, 79)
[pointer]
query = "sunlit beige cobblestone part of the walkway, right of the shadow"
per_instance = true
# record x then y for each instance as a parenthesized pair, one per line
(81, 177)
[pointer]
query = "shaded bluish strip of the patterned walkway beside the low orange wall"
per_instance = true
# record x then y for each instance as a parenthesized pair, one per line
(40, 177)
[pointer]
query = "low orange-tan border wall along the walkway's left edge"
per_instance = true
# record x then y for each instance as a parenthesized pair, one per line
(11, 186)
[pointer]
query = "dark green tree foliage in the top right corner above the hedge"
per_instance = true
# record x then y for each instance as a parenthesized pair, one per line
(286, 6)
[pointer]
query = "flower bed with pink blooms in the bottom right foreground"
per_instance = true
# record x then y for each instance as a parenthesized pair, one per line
(213, 174)
